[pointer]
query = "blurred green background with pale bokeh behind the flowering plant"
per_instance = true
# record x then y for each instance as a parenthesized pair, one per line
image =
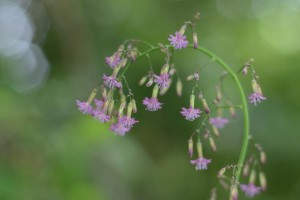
(52, 53)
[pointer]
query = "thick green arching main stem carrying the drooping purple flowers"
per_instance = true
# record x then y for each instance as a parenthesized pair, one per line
(245, 142)
